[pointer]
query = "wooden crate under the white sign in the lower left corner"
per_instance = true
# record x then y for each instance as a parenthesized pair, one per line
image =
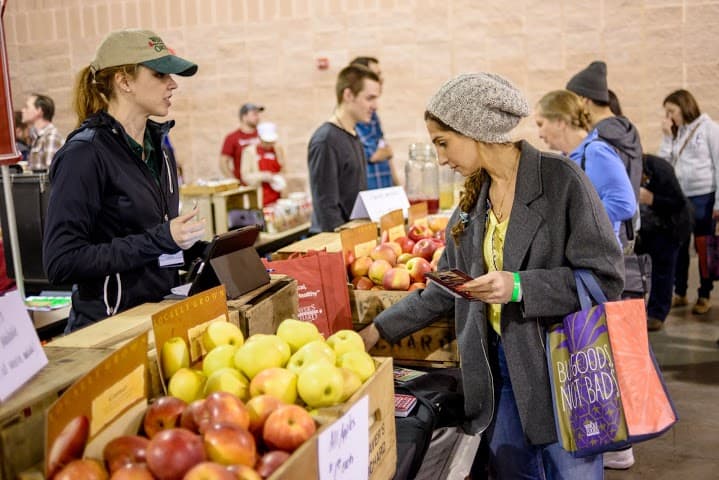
(22, 416)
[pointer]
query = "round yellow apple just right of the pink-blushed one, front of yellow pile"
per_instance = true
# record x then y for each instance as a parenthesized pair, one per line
(320, 384)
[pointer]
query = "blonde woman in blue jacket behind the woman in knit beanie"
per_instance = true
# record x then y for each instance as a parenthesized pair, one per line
(564, 125)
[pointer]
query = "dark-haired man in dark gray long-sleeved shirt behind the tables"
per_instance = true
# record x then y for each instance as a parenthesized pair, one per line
(336, 159)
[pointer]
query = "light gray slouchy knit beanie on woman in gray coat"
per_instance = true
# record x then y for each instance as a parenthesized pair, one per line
(482, 106)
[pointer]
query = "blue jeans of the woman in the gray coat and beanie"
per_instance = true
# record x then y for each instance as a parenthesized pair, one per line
(512, 457)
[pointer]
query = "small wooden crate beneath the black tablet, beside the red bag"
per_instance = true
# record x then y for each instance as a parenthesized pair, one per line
(267, 307)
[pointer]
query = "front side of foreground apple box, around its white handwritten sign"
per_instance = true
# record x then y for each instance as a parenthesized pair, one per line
(379, 388)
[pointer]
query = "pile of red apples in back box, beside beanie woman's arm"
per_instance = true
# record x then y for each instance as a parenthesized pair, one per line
(400, 264)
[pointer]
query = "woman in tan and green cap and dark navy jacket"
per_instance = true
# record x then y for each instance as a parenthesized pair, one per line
(112, 227)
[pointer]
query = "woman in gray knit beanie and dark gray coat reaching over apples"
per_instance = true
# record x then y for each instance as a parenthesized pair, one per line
(525, 221)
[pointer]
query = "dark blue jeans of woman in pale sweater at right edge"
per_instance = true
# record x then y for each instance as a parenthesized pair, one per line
(703, 225)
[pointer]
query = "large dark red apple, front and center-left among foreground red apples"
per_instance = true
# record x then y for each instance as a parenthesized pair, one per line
(171, 453)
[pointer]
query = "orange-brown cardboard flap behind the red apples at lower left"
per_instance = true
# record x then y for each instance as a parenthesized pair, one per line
(115, 386)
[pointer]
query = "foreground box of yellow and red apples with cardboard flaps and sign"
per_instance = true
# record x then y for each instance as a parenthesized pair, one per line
(203, 425)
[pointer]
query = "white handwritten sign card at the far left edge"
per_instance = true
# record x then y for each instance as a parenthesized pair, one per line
(21, 354)
